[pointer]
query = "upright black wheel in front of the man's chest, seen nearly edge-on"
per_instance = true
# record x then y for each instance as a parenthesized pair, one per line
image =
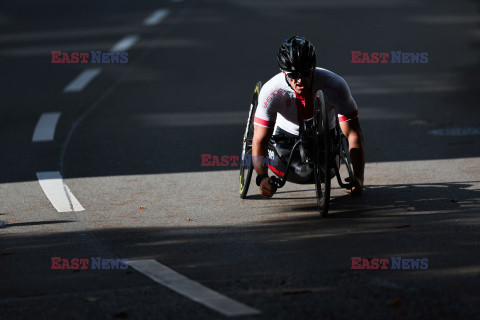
(323, 158)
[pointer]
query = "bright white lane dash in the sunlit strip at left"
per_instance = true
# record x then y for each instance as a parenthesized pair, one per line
(57, 192)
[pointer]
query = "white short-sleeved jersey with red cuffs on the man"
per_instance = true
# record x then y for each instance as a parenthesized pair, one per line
(280, 106)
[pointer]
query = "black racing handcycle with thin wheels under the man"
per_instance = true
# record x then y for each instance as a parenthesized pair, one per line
(321, 145)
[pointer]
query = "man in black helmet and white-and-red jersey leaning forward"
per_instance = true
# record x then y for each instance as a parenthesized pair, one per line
(288, 97)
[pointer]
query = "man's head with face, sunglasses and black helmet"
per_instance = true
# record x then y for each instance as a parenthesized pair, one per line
(296, 58)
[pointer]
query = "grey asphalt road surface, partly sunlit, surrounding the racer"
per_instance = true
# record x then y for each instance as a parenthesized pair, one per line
(127, 150)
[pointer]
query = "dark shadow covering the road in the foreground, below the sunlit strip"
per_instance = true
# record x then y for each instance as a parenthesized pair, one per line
(279, 265)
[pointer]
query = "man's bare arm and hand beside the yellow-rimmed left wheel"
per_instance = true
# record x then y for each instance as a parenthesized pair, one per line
(261, 136)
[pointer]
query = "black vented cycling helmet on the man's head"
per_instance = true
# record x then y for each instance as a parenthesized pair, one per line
(296, 54)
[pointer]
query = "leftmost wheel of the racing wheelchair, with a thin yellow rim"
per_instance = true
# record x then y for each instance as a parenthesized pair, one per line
(246, 167)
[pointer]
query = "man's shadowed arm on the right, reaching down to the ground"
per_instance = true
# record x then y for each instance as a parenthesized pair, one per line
(352, 130)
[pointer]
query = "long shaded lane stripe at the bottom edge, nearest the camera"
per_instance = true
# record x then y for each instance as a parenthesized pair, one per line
(191, 289)
